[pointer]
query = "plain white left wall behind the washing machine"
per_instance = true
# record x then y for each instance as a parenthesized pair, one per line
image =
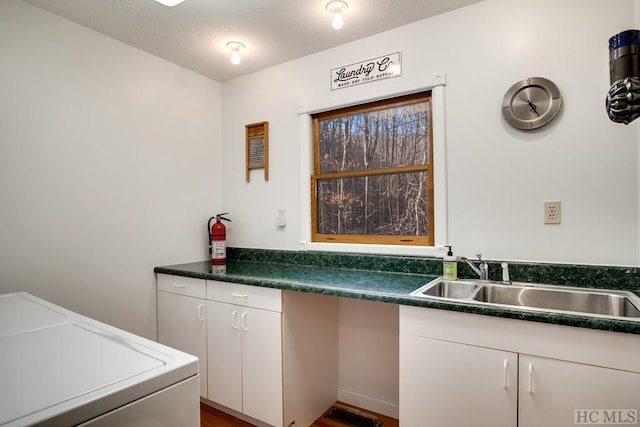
(109, 166)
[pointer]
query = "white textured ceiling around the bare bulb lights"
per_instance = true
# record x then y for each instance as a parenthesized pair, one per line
(194, 33)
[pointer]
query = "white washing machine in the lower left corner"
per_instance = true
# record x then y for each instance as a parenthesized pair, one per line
(58, 368)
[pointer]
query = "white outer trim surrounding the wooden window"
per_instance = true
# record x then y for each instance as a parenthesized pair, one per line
(437, 87)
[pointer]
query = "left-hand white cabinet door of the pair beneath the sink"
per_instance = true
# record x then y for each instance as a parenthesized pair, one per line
(447, 384)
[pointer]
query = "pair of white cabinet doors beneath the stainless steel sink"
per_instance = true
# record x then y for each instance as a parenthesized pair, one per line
(484, 382)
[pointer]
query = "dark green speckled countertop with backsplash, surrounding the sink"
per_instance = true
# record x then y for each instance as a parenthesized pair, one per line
(390, 284)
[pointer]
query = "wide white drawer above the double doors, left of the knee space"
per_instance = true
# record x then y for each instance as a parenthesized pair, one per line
(245, 295)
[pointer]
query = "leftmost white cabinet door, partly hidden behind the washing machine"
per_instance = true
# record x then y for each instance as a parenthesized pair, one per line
(182, 325)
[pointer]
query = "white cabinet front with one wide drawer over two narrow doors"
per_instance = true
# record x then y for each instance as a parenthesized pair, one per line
(244, 327)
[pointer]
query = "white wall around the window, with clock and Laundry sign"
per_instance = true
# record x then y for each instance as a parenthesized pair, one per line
(498, 177)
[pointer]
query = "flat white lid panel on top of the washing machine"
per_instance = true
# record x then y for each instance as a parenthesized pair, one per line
(50, 366)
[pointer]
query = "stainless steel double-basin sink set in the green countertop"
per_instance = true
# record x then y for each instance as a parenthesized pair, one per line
(539, 297)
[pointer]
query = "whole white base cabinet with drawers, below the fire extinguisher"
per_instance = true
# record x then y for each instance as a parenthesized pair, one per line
(244, 336)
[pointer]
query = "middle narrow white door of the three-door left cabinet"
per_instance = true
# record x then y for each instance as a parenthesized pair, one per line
(224, 351)
